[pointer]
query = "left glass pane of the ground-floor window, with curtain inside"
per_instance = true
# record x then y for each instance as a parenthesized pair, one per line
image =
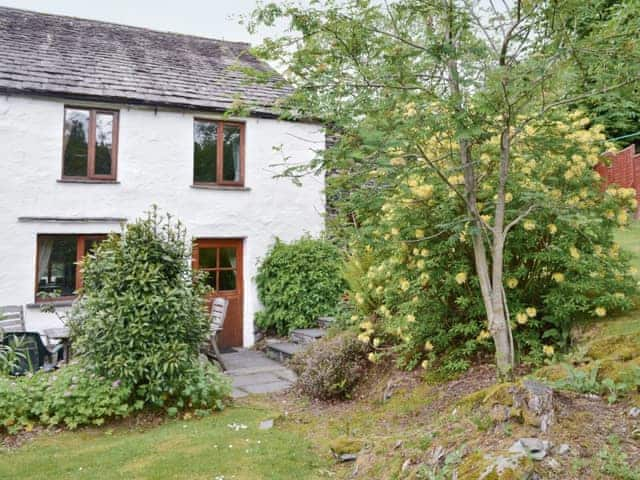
(56, 264)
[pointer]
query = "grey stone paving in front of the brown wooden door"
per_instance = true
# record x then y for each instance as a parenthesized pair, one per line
(252, 372)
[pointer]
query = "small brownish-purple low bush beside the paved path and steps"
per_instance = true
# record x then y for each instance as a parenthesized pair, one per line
(331, 367)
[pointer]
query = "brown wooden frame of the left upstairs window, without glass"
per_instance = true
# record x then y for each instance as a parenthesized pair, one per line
(91, 147)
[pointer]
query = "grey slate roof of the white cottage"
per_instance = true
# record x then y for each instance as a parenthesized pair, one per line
(75, 58)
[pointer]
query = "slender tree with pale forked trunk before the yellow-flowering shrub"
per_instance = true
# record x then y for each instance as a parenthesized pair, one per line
(392, 77)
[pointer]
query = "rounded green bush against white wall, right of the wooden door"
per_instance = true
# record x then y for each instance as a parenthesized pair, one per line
(298, 282)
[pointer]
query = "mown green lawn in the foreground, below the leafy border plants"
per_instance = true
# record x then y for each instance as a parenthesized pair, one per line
(195, 449)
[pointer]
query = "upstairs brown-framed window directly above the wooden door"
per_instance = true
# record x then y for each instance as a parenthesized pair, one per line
(218, 153)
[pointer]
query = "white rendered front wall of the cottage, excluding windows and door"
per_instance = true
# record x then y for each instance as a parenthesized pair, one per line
(155, 166)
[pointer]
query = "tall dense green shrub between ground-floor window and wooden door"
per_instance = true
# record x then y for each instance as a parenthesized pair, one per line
(142, 318)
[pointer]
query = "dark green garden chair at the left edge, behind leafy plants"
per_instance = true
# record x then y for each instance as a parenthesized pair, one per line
(32, 353)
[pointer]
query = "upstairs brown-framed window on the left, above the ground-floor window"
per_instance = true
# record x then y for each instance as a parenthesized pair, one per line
(89, 144)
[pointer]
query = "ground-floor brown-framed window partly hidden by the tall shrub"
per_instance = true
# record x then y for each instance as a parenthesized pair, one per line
(57, 263)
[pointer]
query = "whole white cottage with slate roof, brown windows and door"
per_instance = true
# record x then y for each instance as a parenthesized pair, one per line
(99, 121)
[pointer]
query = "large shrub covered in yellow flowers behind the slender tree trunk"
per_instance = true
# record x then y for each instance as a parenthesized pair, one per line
(412, 274)
